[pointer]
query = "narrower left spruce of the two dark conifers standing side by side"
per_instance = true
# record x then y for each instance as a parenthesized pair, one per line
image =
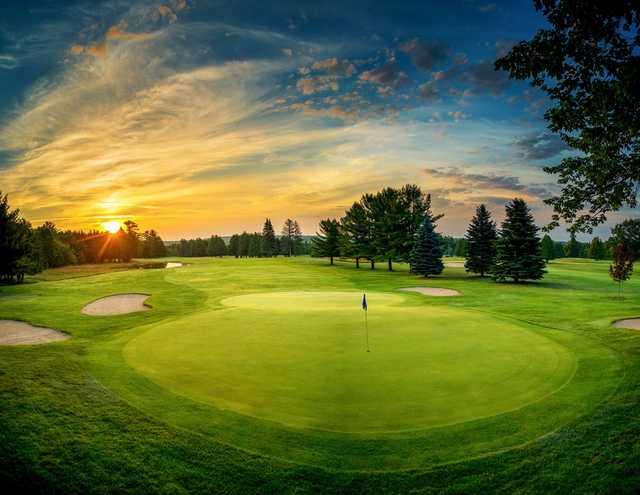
(481, 242)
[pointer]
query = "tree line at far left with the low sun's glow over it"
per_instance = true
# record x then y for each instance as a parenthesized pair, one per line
(28, 250)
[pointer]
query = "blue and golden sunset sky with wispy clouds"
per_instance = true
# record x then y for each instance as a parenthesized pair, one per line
(200, 117)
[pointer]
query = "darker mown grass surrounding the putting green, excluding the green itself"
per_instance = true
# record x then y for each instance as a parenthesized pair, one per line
(75, 419)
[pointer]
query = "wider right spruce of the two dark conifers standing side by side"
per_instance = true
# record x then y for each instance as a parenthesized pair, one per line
(518, 246)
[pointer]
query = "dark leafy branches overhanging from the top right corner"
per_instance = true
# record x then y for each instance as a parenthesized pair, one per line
(588, 63)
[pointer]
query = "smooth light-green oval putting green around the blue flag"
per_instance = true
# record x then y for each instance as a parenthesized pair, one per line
(298, 358)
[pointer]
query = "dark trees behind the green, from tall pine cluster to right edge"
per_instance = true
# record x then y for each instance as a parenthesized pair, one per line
(398, 225)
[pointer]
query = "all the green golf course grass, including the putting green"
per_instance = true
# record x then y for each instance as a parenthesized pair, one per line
(237, 381)
